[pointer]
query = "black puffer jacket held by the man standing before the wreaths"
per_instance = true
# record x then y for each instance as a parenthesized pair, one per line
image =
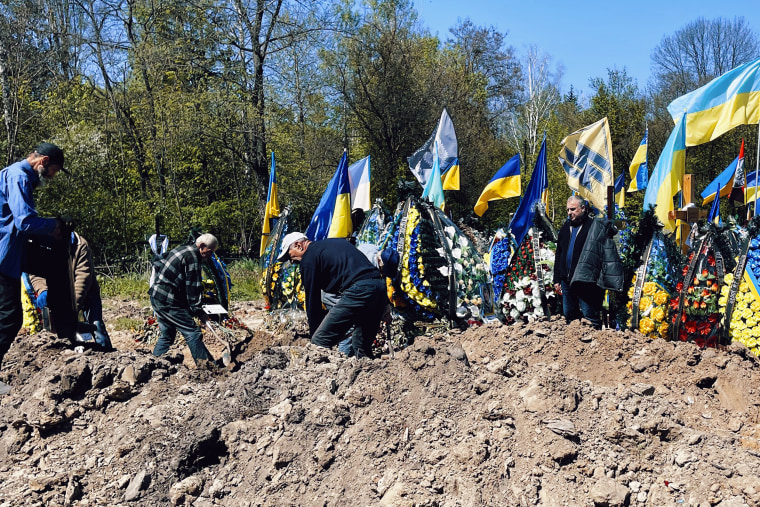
(600, 262)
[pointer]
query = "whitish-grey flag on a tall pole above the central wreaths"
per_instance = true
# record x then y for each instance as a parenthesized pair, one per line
(444, 142)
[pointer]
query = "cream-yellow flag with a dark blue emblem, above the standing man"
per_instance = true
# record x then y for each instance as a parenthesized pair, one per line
(586, 156)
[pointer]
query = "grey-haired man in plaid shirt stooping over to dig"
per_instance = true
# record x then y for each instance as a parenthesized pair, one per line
(176, 296)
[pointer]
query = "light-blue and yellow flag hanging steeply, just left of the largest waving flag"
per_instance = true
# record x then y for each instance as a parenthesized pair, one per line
(666, 178)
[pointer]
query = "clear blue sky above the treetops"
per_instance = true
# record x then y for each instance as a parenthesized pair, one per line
(590, 37)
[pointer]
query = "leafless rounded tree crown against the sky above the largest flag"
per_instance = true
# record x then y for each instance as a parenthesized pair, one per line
(701, 51)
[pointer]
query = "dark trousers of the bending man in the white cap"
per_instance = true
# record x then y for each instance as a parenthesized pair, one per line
(361, 305)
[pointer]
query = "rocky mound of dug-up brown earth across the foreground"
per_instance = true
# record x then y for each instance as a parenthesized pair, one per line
(539, 414)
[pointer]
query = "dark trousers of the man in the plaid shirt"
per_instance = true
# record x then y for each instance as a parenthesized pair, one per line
(172, 319)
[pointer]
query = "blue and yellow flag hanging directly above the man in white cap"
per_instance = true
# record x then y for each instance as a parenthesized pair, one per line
(332, 218)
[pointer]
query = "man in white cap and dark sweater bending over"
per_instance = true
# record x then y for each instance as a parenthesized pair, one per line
(337, 267)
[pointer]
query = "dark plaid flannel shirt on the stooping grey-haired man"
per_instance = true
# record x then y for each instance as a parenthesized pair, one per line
(179, 279)
